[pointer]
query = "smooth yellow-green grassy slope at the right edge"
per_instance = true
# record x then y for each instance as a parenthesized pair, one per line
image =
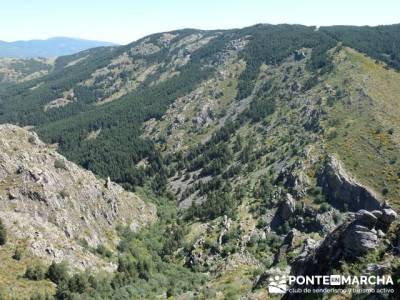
(363, 128)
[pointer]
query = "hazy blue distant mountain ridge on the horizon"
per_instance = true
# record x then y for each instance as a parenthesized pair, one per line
(51, 47)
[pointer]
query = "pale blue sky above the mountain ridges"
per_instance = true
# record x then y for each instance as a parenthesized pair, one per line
(123, 21)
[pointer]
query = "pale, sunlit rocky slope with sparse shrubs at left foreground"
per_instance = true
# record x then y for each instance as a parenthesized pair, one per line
(57, 206)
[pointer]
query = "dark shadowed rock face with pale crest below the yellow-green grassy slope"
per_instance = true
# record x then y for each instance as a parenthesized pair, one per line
(343, 191)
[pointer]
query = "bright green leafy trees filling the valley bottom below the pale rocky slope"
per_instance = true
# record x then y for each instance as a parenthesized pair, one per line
(147, 265)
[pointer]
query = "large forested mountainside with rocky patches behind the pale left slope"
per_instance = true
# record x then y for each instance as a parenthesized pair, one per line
(263, 145)
